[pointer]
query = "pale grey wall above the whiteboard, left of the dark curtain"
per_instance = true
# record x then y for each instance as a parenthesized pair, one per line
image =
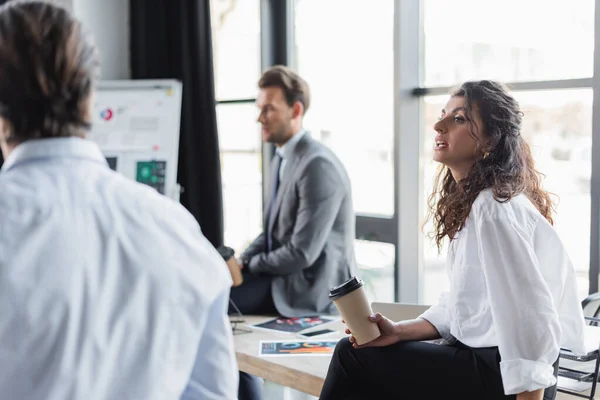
(108, 21)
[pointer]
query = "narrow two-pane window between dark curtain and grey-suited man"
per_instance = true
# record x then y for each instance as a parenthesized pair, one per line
(236, 41)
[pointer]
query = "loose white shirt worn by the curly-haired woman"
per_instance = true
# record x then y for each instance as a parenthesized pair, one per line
(513, 286)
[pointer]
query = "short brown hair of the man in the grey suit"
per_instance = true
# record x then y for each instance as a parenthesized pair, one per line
(294, 87)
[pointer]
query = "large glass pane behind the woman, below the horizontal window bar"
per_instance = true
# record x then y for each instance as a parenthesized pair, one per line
(558, 127)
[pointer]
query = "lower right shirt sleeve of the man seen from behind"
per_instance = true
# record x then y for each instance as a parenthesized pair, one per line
(215, 374)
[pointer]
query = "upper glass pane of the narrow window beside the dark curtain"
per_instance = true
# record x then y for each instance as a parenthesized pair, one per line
(236, 42)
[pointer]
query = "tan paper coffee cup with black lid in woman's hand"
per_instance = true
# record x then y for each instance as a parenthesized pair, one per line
(350, 298)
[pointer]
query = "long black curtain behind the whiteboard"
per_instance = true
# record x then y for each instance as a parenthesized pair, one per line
(172, 39)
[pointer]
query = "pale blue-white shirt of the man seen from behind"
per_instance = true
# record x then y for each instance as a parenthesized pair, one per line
(108, 290)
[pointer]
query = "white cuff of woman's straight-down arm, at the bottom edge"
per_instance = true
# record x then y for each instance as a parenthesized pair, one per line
(526, 376)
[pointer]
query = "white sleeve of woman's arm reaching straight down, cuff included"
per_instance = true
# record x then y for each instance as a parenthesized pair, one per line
(524, 317)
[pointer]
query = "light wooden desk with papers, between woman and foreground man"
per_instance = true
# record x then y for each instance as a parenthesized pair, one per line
(305, 374)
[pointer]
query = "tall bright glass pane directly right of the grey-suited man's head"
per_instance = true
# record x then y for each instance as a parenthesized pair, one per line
(351, 107)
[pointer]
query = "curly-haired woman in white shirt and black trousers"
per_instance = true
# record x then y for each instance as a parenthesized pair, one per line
(512, 302)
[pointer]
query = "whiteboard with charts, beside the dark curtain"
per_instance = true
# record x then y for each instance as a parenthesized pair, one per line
(136, 124)
